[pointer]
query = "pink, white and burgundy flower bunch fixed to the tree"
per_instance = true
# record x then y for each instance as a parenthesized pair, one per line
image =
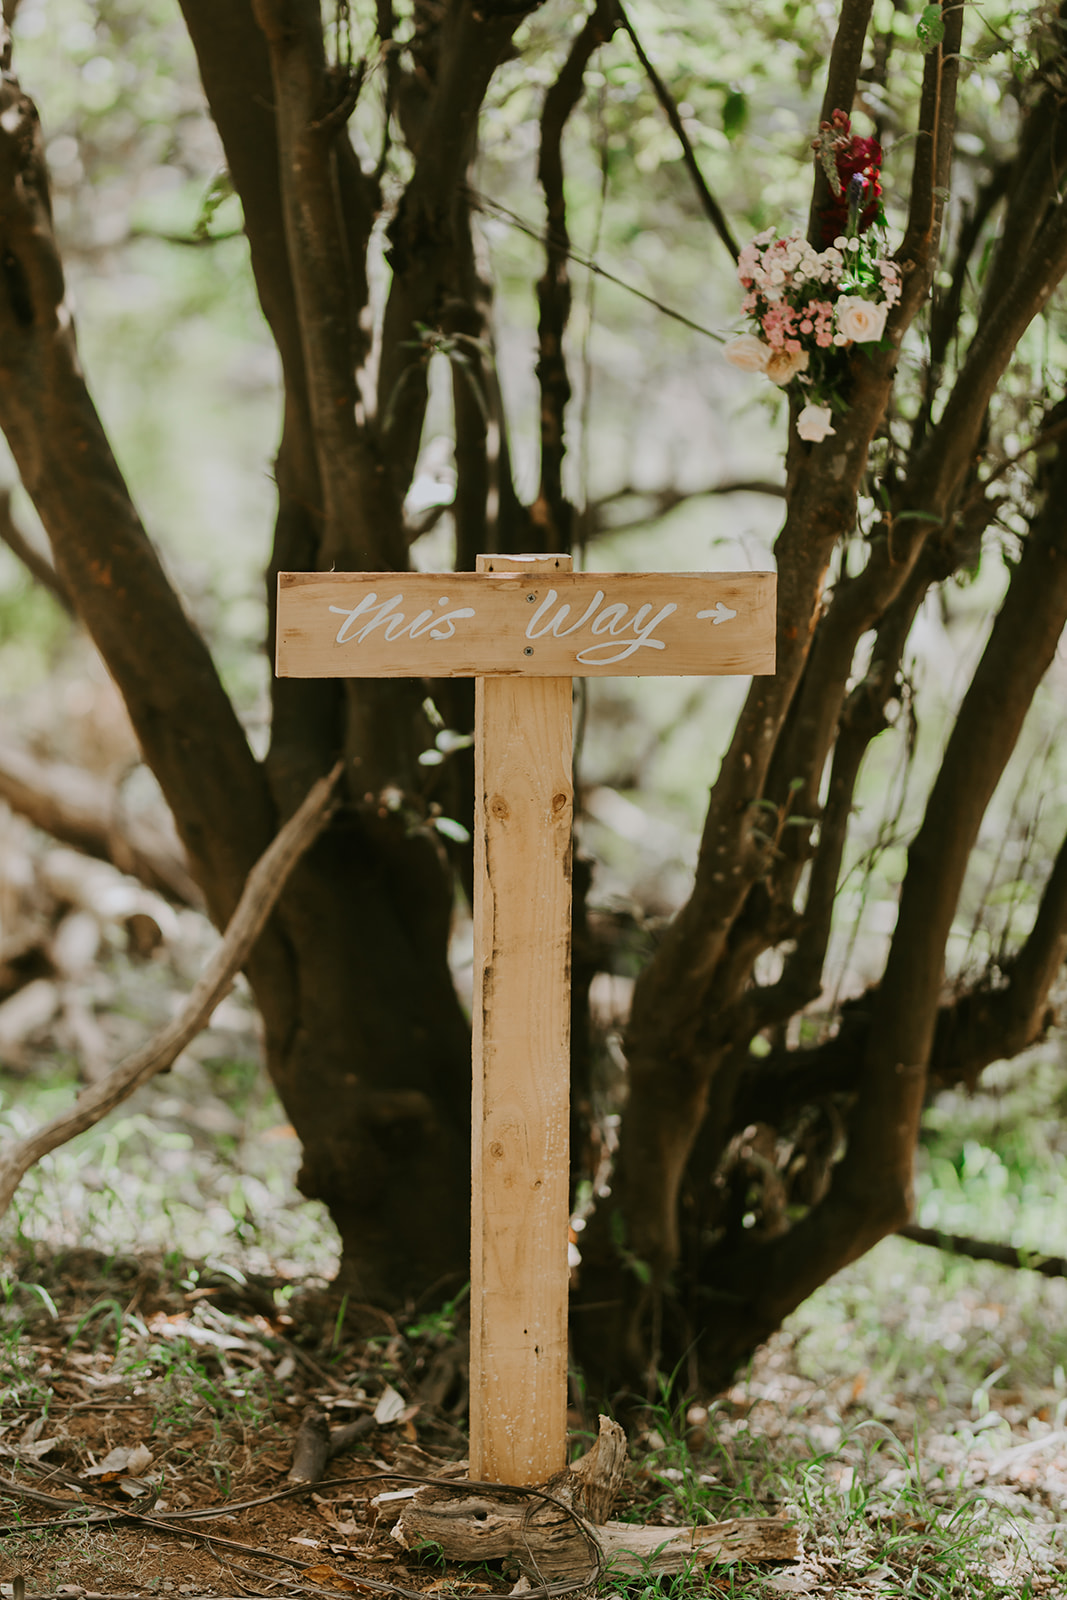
(809, 306)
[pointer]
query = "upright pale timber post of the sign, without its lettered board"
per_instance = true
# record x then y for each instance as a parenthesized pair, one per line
(522, 945)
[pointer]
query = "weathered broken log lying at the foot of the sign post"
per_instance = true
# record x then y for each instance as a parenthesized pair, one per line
(548, 1543)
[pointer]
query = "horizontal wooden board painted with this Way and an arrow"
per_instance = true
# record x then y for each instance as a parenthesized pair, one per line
(524, 623)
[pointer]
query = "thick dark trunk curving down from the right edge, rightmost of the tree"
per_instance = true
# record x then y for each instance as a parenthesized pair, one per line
(871, 1190)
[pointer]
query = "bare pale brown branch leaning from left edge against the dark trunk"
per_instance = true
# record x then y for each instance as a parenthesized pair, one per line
(262, 892)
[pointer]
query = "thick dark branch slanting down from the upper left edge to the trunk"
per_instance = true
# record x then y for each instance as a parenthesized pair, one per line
(188, 729)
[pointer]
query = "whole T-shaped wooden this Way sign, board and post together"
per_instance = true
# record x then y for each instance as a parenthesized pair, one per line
(524, 628)
